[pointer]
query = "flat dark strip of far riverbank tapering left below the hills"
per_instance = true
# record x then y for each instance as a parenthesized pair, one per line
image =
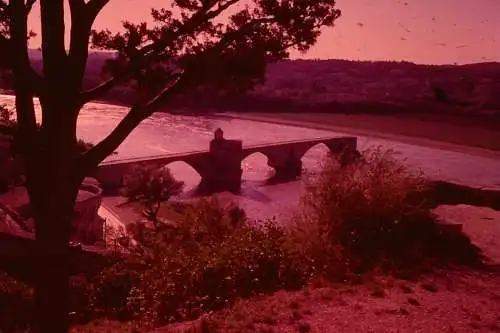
(437, 130)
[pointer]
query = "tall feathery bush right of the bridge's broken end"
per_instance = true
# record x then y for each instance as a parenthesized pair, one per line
(370, 214)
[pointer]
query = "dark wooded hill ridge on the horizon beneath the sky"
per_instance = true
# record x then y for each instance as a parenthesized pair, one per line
(327, 84)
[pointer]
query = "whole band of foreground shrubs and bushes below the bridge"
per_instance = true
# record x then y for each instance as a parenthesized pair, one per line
(368, 218)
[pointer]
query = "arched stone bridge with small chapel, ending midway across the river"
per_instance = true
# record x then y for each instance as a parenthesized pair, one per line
(220, 166)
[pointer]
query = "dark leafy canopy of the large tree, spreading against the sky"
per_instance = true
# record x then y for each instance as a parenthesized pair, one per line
(226, 42)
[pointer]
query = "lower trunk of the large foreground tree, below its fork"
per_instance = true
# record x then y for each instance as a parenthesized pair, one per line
(53, 190)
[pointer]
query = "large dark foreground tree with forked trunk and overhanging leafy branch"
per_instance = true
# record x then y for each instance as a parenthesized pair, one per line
(211, 43)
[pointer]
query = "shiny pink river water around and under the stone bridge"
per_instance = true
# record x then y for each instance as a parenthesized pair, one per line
(163, 134)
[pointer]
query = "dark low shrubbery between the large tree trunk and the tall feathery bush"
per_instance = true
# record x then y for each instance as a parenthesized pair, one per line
(205, 261)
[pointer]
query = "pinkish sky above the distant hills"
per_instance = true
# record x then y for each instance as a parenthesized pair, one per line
(420, 31)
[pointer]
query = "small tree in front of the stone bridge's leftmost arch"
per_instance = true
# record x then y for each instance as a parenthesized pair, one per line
(151, 187)
